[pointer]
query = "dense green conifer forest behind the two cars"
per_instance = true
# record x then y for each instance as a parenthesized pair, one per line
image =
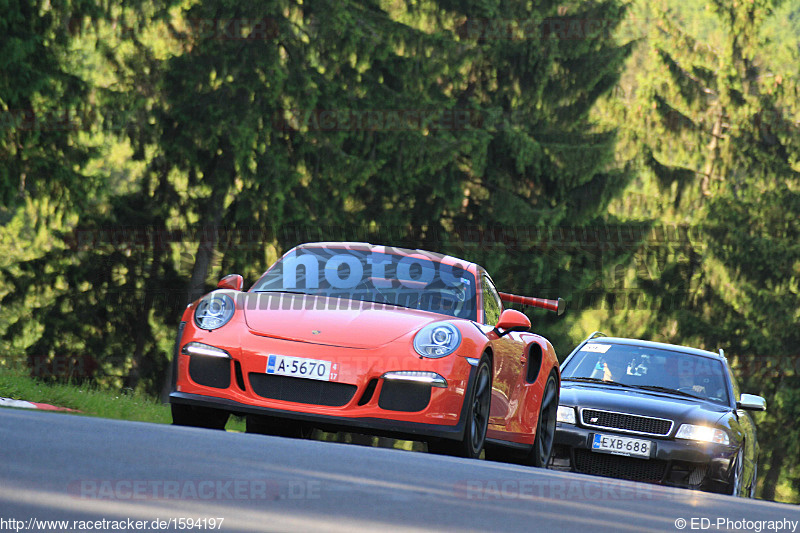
(639, 159)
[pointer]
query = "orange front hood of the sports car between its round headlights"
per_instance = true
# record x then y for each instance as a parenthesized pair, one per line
(331, 321)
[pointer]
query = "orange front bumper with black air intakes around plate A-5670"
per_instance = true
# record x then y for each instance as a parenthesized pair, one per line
(358, 398)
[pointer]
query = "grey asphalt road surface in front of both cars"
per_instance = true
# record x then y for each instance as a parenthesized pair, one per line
(86, 470)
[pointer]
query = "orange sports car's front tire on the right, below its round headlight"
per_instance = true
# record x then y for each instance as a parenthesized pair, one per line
(479, 403)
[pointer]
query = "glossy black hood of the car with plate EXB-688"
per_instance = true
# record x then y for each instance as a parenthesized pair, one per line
(644, 403)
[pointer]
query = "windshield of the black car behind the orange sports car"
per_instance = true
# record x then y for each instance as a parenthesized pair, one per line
(646, 368)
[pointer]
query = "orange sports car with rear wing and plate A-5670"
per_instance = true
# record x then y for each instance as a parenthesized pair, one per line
(371, 339)
